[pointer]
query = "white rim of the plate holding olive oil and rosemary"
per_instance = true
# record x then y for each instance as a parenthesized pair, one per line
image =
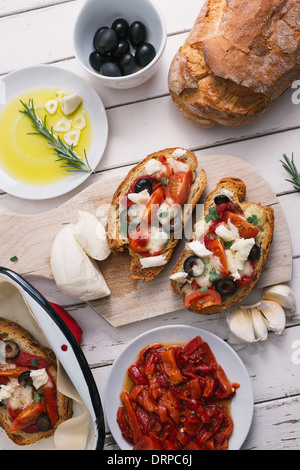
(15, 83)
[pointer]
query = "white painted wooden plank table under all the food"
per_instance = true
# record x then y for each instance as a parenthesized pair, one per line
(143, 120)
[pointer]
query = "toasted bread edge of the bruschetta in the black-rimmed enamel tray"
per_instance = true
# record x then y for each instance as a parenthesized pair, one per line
(12, 331)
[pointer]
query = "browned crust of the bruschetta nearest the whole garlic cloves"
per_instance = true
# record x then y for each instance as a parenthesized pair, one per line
(238, 188)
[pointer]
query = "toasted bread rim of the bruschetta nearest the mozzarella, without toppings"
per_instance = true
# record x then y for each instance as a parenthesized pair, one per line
(119, 244)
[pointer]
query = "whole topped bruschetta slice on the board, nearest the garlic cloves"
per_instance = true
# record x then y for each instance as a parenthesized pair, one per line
(250, 262)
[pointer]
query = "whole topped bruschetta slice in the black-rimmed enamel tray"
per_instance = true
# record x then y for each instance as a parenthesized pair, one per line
(31, 406)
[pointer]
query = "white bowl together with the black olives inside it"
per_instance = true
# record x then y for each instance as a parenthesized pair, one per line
(120, 42)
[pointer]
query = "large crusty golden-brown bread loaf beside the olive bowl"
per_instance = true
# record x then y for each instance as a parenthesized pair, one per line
(239, 57)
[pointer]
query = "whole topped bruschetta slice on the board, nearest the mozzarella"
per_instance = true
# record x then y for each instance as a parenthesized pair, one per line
(151, 207)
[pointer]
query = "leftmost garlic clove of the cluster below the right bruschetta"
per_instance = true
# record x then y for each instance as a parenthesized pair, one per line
(240, 325)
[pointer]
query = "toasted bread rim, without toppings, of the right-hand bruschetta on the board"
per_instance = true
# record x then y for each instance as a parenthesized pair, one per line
(264, 238)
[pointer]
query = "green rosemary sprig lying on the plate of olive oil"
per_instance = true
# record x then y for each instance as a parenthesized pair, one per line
(65, 153)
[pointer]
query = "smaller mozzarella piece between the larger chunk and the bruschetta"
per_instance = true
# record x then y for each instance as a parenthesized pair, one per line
(91, 236)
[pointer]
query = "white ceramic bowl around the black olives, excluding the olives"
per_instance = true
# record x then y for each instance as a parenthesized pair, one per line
(97, 13)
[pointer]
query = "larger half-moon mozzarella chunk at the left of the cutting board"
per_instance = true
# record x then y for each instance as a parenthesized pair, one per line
(74, 272)
